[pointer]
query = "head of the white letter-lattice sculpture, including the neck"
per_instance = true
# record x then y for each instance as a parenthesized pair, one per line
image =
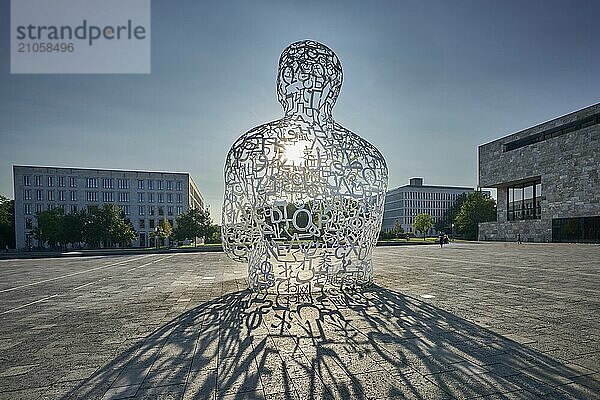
(309, 80)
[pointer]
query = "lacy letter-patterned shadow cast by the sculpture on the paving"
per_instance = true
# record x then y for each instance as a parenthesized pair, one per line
(372, 344)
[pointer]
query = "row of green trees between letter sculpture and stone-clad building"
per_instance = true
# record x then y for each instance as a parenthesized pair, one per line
(465, 214)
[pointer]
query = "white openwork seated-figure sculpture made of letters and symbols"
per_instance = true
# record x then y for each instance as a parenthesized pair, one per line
(304, 196)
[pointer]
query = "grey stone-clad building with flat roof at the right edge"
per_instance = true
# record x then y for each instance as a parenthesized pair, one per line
(547, 180)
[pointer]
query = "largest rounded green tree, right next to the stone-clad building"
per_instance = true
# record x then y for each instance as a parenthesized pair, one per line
(477, 207)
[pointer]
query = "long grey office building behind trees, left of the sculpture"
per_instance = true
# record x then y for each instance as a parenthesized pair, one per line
(145, 197)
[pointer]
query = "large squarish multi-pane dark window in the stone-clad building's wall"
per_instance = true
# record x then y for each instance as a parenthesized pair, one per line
(523, 201)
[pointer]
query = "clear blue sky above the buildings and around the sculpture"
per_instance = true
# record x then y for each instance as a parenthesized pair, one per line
(425, 81)
